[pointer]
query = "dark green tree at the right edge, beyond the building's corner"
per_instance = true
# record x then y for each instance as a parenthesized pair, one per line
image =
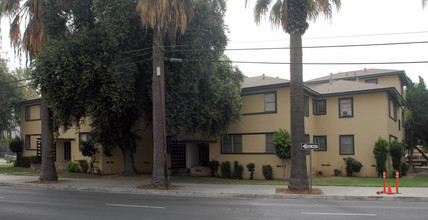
(416, 117)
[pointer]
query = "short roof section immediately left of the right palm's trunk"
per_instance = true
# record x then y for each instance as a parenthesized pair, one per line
(263, 82)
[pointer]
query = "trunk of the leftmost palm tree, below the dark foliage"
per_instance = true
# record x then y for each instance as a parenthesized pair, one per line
(48, 171)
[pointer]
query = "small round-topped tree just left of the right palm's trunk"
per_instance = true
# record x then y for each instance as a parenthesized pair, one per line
(282, 142)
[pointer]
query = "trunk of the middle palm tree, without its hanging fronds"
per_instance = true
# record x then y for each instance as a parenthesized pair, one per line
(160, 175)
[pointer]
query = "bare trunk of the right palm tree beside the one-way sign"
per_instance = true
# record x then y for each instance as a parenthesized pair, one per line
(298, 174)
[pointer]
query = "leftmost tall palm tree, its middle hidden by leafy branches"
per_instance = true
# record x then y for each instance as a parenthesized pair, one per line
(32, 42)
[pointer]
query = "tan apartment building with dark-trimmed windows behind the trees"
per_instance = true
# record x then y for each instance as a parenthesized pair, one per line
(345, 113)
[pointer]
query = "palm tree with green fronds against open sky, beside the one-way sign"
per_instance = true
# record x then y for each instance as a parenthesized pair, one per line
(292, 16)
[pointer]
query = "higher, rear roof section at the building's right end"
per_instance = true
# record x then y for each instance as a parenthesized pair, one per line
(361, 74)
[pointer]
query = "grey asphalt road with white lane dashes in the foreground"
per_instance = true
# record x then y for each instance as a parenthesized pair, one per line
(20, 203)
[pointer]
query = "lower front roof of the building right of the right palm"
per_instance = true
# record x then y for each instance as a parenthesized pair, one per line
(344, 87)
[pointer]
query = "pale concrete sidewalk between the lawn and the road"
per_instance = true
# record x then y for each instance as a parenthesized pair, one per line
(117, 184)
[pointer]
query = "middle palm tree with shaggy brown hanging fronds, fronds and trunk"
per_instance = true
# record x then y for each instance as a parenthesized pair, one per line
(166, 18)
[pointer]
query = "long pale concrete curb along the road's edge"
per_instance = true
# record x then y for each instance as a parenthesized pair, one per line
(211, 194)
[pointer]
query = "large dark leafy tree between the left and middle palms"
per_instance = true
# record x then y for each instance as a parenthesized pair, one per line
(85, 74)
